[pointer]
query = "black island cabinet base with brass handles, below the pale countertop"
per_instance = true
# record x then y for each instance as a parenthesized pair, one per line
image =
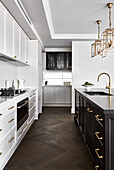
(97, 128)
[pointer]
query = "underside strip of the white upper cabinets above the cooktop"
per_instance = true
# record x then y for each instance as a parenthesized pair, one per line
(11, 60)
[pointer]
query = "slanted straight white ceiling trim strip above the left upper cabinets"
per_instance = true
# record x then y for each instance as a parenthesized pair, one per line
(27, 18)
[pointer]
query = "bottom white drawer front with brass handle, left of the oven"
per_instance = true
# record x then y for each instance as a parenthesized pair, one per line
(7, 144)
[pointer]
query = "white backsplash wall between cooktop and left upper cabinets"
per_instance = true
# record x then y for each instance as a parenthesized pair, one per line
(7, 72)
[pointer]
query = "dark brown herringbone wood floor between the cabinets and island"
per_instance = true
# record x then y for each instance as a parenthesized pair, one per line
(52, 143)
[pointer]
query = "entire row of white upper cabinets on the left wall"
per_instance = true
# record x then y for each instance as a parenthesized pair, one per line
(14, 43)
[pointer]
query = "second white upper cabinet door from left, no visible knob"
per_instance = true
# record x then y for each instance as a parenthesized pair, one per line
(9, 35)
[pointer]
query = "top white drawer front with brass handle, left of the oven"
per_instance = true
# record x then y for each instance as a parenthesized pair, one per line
(5, 111)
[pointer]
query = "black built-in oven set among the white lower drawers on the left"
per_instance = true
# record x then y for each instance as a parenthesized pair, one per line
(22, 112)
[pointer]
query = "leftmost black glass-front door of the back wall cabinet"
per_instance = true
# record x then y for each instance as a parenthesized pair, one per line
(50, 61)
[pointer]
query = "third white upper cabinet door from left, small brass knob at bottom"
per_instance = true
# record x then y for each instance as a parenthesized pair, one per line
(16, 40)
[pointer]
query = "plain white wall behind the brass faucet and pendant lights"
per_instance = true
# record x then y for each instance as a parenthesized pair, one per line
(85, 68)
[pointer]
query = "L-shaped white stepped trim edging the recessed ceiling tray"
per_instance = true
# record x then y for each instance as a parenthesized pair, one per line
(63, 36)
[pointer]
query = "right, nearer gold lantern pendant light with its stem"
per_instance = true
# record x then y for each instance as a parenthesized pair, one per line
(108, 34)
